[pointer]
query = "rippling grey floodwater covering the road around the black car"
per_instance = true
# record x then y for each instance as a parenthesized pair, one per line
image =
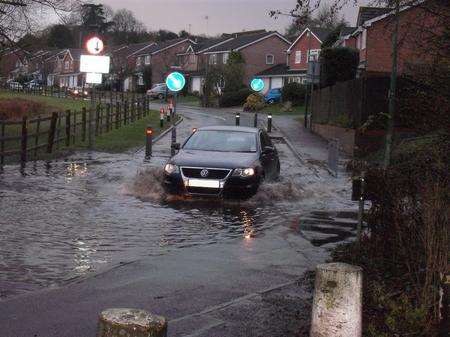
(66, 219)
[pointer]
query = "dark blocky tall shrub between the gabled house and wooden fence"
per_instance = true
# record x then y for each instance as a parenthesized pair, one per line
(338, 65)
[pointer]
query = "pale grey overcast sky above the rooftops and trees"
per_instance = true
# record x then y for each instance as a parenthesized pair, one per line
(224, 16)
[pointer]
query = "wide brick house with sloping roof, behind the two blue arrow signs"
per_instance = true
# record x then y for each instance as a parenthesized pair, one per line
(260, 50)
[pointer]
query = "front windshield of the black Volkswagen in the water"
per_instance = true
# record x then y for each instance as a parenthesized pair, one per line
(223, 141)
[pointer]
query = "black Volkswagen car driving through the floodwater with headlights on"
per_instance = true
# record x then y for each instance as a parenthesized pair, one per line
(222, 161)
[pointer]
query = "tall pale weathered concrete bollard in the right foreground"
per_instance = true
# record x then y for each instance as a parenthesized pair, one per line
(337, 304)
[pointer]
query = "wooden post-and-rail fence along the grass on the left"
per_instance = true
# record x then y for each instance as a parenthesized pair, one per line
(28, 138)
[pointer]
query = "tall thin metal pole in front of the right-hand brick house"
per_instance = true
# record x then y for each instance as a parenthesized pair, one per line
(392, 89)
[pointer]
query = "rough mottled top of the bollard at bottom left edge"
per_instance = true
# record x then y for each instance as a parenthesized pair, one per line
(130, 323)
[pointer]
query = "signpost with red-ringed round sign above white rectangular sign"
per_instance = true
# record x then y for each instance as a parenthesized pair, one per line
(94, 66)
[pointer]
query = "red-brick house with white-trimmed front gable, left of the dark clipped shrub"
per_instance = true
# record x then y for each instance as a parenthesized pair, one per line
(295, 63)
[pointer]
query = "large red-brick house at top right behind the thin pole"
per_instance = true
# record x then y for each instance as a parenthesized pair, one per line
(373, 37)
